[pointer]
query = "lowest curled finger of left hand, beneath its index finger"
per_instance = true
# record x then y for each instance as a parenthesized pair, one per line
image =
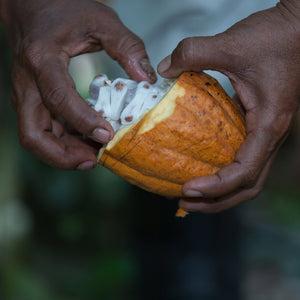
(45, 139)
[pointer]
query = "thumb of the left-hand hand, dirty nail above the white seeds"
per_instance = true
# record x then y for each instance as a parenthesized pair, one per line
(125, 47)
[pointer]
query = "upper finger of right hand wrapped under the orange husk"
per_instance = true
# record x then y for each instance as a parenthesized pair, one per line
(260, 143)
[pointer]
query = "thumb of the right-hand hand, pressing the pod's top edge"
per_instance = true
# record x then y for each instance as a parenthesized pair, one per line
(195, 54)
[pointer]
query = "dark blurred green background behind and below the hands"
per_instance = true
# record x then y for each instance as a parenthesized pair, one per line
(90, 235)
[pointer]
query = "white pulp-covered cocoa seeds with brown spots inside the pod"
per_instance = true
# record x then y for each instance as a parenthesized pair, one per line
(122, 101)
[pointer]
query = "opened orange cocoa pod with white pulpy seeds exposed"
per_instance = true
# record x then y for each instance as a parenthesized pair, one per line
(193, 130)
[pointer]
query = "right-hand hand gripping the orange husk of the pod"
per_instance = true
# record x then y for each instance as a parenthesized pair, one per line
(261, 57)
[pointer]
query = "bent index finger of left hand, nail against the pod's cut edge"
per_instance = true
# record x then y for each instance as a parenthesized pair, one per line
(59, 95)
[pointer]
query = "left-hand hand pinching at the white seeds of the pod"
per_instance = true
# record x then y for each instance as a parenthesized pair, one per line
(52, 117)
